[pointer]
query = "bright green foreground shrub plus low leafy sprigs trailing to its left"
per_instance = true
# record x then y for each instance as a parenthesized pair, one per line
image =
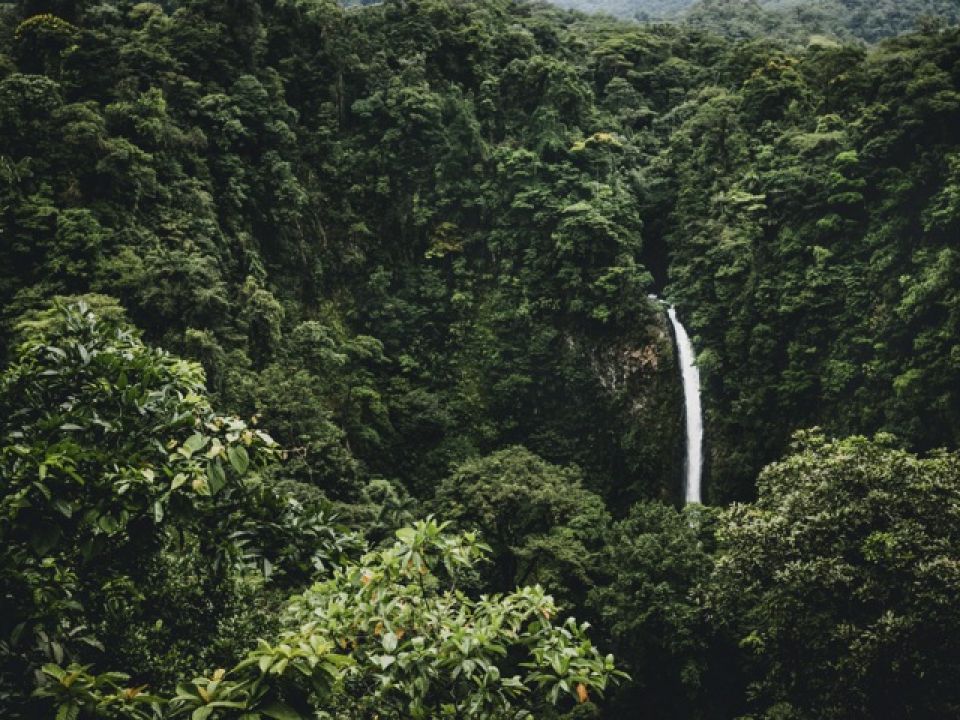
(390, 636)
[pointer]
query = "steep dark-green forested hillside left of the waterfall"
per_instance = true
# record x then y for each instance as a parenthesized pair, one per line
(346, 200)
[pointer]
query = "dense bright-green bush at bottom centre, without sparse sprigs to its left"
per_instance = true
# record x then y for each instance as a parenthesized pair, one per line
(425, 649)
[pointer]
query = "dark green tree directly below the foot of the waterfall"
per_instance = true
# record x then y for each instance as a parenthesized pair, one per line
(645, 599)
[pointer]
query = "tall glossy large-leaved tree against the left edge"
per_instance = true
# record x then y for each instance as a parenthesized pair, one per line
(116, 472)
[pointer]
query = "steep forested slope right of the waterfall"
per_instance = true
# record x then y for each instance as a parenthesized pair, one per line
(813, 232)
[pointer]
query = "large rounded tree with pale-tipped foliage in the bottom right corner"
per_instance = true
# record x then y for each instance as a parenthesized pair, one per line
(839, 582)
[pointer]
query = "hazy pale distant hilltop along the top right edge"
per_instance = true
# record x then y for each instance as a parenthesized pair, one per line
(864, 19)
